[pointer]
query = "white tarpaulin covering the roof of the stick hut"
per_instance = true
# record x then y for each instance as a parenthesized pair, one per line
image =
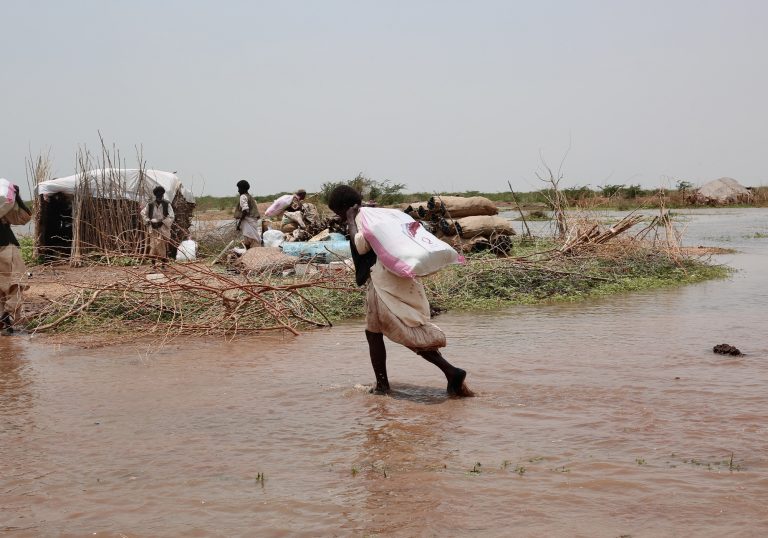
(109, 182)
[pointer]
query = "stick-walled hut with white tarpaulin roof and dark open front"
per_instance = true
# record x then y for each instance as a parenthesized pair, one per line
(99, 211)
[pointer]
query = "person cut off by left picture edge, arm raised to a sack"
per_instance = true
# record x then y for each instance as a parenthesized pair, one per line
(12, 266)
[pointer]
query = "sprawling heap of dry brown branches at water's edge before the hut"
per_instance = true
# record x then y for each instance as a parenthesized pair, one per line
(184, 299)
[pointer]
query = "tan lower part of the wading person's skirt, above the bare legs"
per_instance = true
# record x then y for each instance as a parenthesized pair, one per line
(380, 319)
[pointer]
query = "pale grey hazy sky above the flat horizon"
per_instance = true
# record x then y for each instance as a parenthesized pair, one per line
(440, 95)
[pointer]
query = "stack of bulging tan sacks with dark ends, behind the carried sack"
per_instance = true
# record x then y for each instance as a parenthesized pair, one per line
(467, 224)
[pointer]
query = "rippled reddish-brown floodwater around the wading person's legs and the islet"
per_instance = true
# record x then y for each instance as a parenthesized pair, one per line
(610, 417)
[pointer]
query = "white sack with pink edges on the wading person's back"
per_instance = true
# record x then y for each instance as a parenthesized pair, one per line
(403, 245)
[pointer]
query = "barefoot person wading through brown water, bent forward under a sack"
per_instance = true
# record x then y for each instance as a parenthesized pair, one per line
(396, 307)
